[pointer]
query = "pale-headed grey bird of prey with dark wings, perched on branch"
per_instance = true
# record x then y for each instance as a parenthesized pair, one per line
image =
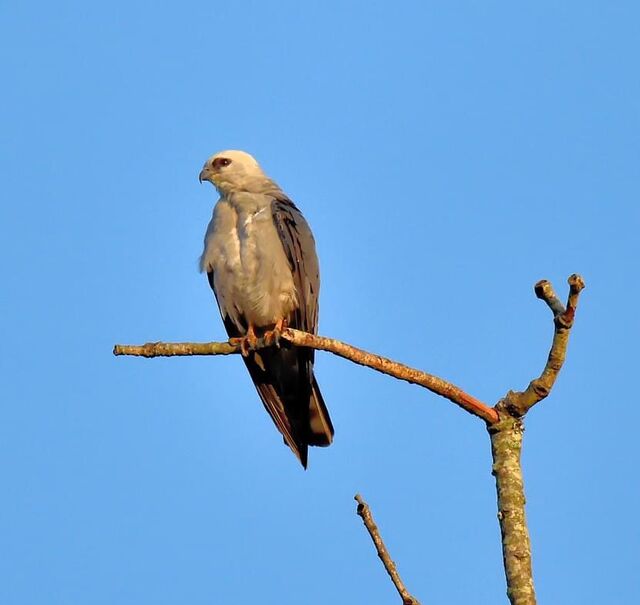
(260, 259)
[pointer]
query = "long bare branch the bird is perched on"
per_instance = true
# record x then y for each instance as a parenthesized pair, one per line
(303, 339)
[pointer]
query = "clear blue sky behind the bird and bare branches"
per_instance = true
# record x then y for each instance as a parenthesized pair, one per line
(447, 156)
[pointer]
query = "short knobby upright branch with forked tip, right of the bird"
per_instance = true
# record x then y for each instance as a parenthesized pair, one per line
(519, 403)
